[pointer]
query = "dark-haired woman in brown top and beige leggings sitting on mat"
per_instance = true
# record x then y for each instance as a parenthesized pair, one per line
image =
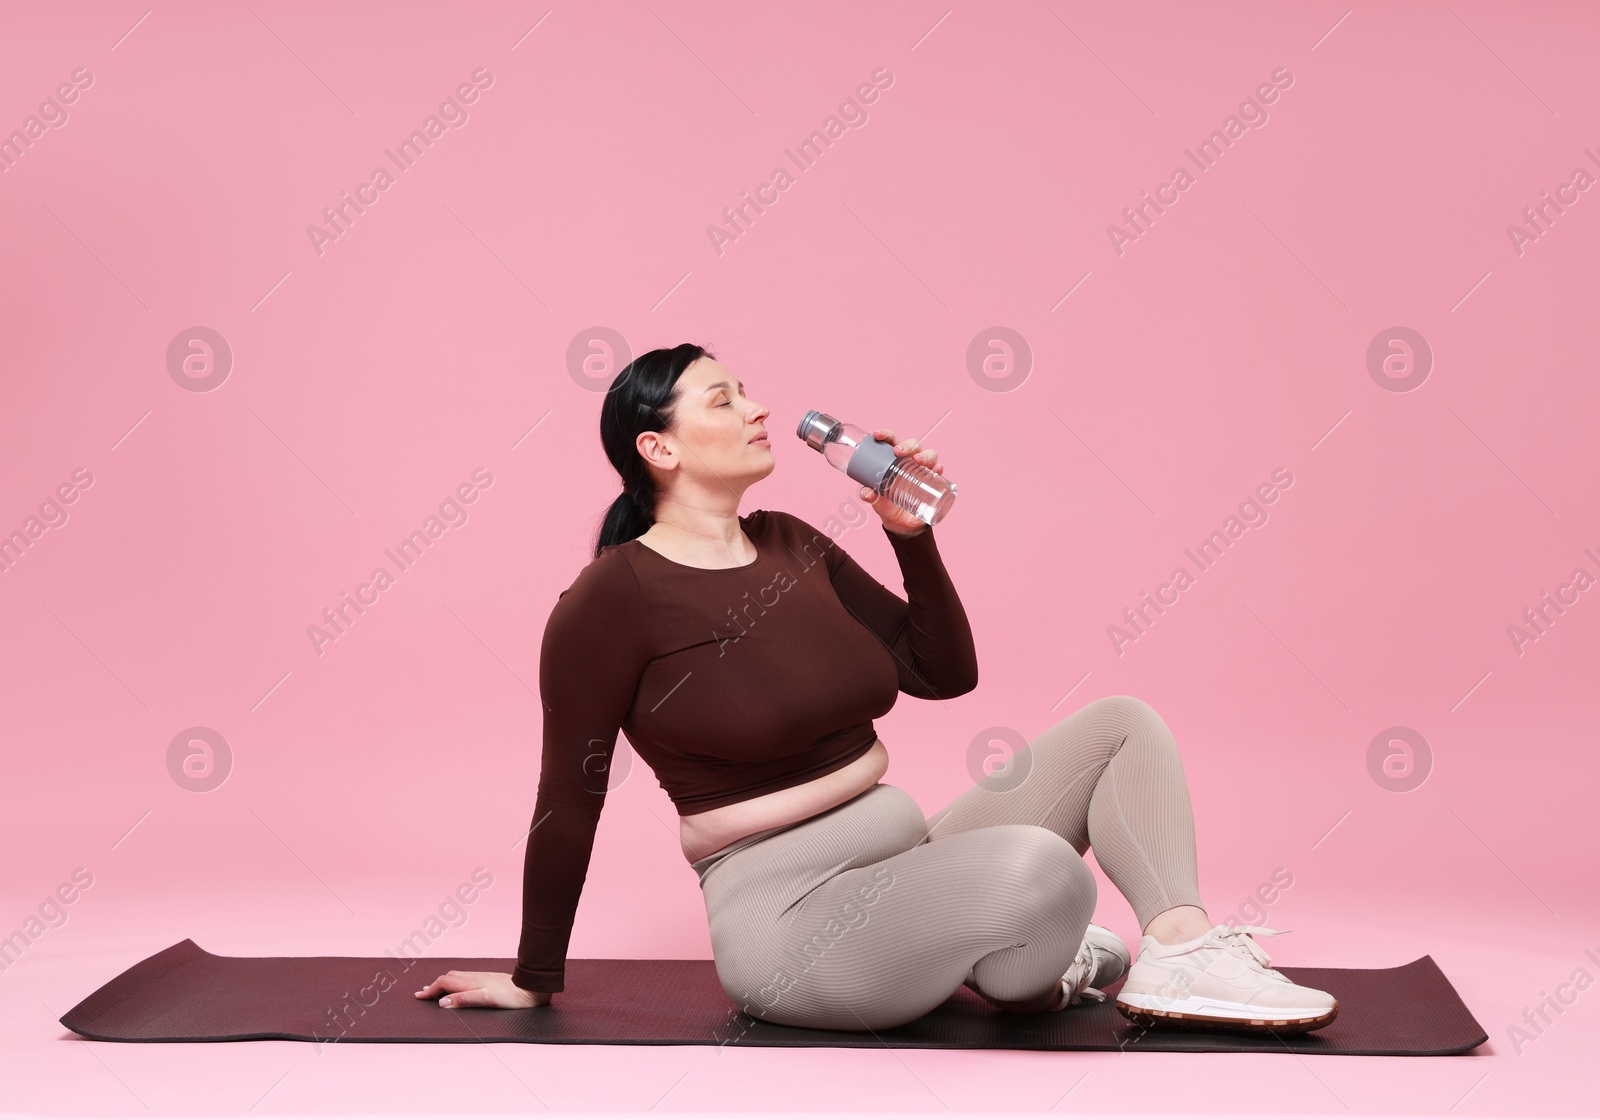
(746, 658)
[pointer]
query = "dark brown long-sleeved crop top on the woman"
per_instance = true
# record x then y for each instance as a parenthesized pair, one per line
(729, 682)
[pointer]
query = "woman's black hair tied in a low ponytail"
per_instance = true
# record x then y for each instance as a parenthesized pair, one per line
(642, 399)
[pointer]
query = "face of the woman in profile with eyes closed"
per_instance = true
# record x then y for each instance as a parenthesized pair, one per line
(719, 438)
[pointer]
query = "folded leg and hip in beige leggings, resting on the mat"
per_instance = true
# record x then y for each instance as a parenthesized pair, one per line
(850, 922)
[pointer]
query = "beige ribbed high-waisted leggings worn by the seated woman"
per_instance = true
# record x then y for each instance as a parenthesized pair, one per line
(870, 916)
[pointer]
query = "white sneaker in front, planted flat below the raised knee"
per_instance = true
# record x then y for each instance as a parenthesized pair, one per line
(1220, 980)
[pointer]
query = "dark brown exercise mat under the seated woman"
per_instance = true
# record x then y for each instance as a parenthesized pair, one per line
(186, 994)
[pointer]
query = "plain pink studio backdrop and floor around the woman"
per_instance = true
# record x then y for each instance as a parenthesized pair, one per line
(433, 340)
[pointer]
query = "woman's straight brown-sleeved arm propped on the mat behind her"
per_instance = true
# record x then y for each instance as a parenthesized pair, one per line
(591, 660)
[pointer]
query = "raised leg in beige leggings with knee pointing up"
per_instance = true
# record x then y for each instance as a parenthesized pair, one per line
(1106, 777)
